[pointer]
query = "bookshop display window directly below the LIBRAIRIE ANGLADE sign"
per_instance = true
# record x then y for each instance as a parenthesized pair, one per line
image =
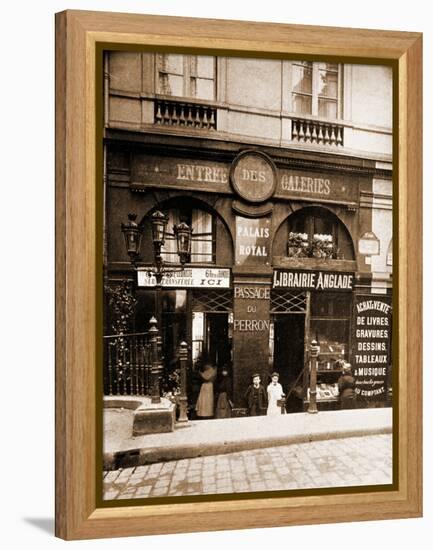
(330, 327)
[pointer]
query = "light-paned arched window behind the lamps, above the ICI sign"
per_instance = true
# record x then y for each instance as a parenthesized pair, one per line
(202, 237)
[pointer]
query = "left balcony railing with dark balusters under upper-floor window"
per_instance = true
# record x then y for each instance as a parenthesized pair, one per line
(185, 114)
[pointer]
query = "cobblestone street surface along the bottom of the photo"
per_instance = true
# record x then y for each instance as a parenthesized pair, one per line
(333, 463)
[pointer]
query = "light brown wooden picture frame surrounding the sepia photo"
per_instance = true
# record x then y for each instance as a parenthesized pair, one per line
(80, 36)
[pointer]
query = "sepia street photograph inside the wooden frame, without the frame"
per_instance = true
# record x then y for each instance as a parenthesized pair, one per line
(247, 276)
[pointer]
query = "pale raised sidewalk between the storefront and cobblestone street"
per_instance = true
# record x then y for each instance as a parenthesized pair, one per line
(215, 437)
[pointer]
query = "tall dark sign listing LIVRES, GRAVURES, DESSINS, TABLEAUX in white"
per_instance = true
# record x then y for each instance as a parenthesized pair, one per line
(371, 346)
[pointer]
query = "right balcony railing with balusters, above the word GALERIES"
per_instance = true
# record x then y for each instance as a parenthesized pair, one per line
(313, 131)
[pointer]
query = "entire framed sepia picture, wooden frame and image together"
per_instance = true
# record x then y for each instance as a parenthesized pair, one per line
(238, 275)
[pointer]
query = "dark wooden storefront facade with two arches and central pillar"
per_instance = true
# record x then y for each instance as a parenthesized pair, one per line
(252, 325)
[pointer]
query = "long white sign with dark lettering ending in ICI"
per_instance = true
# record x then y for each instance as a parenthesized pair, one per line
(195, 277)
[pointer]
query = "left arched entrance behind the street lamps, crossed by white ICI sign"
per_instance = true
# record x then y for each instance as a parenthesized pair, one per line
(195, 305)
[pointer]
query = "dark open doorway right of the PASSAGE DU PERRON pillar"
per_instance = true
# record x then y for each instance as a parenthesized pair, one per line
(289, 330)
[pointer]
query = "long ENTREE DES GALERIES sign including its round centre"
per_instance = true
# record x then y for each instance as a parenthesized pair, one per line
(252, 176)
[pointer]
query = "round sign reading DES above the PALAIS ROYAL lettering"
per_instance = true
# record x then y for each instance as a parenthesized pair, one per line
(253, 176)
